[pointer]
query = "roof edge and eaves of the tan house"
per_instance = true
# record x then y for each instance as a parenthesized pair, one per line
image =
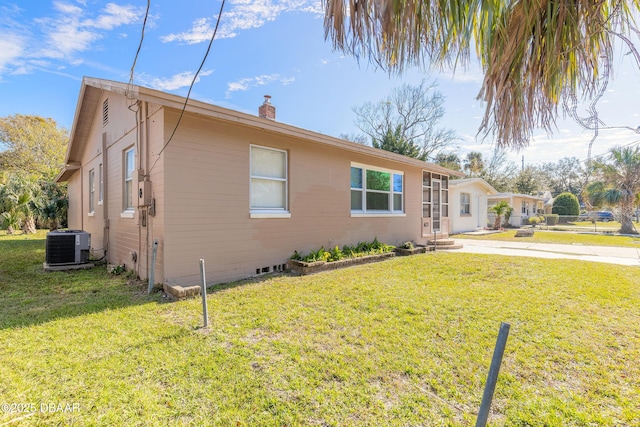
(91, 93)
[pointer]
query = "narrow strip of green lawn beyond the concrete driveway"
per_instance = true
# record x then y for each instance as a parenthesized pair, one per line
(568, 238)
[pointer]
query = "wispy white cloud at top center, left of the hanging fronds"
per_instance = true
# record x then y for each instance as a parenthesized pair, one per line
(243, 15)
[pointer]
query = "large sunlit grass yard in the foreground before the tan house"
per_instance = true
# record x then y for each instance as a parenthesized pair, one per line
(405, 342)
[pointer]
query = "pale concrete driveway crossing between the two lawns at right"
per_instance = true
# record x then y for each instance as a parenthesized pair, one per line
(606, 254)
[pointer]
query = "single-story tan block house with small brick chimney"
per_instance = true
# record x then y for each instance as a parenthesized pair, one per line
(240, 191)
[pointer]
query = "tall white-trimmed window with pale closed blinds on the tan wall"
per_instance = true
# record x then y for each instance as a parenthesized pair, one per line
(269, 180)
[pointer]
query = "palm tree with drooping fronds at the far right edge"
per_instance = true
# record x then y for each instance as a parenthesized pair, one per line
(618, 184)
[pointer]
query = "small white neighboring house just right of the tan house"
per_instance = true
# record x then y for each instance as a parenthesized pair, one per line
(468, 204)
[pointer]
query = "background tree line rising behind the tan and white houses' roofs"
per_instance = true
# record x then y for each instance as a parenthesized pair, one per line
(408, 120)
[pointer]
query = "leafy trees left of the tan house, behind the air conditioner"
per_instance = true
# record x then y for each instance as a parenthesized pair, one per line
(32, 151)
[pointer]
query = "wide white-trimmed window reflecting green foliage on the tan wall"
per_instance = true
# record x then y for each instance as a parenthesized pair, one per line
(376, 190)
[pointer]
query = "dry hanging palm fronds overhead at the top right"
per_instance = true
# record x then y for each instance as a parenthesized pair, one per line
(532, 52)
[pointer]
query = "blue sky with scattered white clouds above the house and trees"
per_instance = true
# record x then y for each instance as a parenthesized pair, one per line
(262, 47)
